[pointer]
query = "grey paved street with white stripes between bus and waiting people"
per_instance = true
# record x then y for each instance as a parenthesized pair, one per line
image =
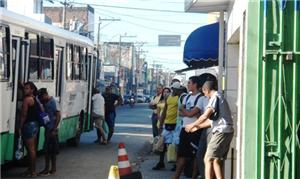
(91, 160)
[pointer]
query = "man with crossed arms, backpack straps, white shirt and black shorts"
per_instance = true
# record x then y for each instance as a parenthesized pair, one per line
(191, 110)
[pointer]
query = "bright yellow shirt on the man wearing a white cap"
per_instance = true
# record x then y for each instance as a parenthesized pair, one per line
(172, 110)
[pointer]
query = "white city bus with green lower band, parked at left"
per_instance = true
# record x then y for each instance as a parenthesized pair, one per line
(61, 61)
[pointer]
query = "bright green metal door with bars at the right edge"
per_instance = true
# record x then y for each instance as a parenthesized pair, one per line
(280, 93)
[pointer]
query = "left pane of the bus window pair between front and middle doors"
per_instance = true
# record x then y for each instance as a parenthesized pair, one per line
(33, 57)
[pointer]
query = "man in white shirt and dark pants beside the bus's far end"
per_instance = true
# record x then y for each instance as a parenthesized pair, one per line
(98, 115)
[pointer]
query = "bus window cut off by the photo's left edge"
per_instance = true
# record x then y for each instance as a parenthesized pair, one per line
(4, 63)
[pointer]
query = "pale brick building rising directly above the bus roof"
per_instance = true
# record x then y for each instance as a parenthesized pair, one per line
(78, 19)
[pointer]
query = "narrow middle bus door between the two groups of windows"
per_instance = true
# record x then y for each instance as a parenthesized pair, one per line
(59, 52)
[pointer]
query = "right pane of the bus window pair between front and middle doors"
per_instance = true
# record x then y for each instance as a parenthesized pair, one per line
(46, 59)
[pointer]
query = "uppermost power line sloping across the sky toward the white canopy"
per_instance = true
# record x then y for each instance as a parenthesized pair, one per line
(131, 8)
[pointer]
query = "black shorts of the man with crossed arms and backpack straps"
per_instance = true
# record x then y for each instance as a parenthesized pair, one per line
(188, 143)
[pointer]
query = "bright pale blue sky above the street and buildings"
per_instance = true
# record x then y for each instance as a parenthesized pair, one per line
(146, 26)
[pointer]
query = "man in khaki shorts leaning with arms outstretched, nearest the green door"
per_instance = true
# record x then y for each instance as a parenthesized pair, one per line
(218, 116)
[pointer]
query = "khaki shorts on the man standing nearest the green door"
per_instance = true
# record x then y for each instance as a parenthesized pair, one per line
(218, 145)
